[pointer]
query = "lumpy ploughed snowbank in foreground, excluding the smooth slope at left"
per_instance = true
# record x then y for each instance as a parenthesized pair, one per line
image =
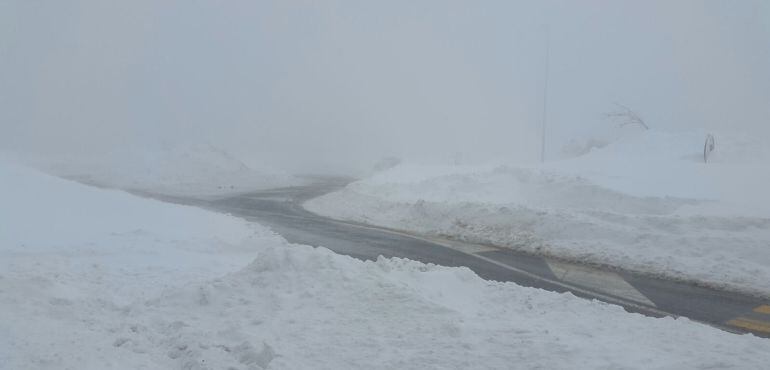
(297, 308)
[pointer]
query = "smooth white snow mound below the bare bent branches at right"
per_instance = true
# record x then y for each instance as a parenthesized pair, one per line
(660, 164)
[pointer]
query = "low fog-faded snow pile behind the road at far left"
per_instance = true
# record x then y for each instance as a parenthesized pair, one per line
(191, 169)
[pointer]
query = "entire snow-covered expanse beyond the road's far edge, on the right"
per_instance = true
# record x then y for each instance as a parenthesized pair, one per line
(646, 202)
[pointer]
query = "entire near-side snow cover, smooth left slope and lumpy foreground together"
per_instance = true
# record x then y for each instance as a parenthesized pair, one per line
(99, 279)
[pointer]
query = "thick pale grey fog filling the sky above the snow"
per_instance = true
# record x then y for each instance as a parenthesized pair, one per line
(335, 85)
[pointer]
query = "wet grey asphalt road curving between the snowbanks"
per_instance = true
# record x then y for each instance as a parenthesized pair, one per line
(281, 209)
